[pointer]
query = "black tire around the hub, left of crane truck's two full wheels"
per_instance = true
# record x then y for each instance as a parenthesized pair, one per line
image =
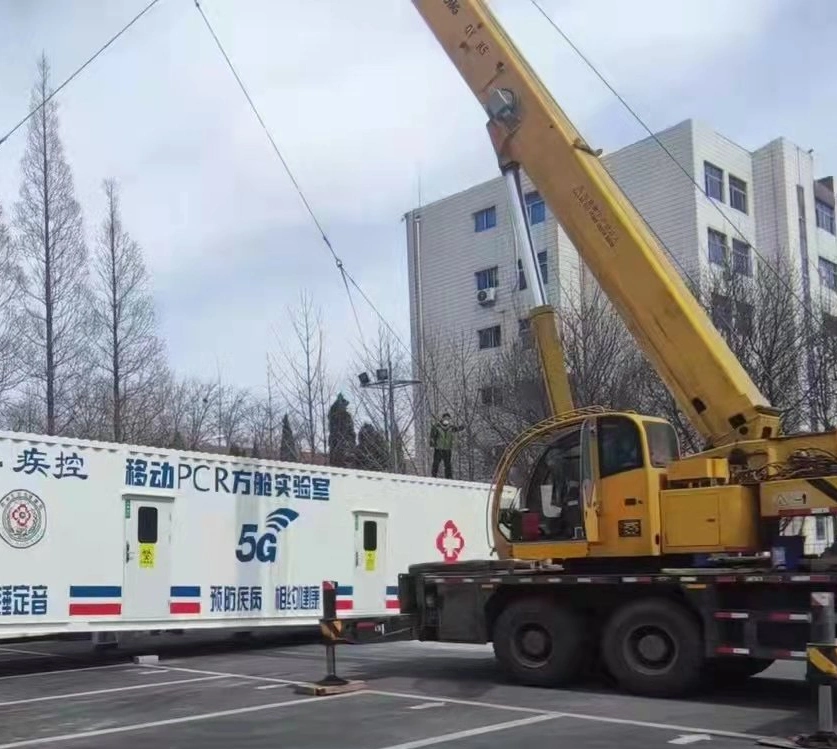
(567, 634)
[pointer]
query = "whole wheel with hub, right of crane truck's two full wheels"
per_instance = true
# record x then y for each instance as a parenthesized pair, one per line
(654, 647)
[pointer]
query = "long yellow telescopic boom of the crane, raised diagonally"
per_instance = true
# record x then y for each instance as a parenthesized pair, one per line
(527, 127)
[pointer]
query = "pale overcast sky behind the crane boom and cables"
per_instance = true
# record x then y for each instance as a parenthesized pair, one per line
(363, 103)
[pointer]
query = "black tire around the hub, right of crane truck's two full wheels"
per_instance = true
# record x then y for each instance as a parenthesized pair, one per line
(687, 670)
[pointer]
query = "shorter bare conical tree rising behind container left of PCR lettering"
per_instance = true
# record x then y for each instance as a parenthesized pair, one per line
(130, 352)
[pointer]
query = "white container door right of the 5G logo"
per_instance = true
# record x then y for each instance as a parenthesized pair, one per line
(370, 583)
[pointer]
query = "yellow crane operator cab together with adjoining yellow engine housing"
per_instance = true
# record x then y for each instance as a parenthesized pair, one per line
(613, 485)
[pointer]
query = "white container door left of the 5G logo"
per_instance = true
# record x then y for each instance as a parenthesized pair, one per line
(147, 558)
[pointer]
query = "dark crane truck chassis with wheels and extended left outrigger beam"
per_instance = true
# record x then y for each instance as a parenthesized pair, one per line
(660, 634)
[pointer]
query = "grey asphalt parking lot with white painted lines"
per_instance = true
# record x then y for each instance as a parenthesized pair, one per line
(243, 695)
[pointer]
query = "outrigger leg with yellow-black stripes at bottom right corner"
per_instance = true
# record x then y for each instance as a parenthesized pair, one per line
(822, 671)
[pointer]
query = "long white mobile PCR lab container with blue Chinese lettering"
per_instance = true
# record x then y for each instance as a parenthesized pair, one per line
(98, 537)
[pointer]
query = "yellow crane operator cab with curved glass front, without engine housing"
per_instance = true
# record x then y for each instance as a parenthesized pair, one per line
(593, 490)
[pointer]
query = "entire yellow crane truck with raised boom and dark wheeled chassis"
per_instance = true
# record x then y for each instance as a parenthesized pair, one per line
(617, 549)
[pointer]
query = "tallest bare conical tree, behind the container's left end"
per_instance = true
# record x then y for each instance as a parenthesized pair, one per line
(50, 240)
